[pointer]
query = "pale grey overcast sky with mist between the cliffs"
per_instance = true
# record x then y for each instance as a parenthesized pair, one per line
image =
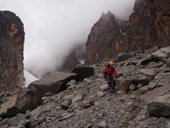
(53, 26)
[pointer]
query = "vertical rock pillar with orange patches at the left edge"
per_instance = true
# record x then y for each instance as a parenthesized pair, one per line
(11, 51)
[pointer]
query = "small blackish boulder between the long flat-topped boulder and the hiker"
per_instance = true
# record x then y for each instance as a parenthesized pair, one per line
(83, 72)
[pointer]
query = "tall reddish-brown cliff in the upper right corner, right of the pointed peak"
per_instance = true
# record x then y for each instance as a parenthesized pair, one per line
(149, 25)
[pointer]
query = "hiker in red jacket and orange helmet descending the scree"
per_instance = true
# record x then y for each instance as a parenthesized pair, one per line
(108, 74)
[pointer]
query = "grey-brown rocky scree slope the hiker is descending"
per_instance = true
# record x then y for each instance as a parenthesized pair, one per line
(143, 77)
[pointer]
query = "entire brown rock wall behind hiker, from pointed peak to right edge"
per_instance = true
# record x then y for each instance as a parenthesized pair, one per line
(148, 26)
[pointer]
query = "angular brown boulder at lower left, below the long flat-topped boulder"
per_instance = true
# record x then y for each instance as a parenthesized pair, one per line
(20, 102)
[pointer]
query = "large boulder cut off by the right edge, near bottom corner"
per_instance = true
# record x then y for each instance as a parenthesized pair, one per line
(160, 107)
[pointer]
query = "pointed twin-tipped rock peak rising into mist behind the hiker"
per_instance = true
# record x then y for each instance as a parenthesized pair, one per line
(105, 39)
